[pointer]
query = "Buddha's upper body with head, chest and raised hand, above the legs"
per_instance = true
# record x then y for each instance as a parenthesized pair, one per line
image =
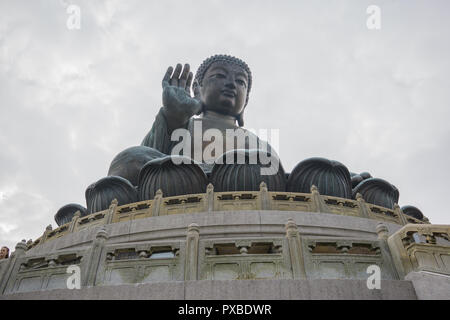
(221, 90)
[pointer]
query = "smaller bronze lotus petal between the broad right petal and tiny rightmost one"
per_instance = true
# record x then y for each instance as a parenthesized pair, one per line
(377, 191)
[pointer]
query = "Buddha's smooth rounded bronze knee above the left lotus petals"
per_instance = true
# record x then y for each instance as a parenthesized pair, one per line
(130, 161)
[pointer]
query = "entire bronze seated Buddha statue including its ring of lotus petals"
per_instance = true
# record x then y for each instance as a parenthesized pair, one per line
(201, 122)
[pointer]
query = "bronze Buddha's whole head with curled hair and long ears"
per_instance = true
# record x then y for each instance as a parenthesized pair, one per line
(223, 85)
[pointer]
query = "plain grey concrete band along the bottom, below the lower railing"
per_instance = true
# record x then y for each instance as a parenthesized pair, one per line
(327, 289)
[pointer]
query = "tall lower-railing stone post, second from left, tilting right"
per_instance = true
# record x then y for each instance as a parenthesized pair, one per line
(98, 245)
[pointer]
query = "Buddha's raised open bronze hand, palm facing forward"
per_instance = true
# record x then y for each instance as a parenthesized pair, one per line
(178, 105)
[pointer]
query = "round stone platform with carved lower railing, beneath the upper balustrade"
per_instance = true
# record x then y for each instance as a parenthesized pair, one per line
(248, 254)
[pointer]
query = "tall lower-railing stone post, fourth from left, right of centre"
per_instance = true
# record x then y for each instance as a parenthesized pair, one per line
(295, 250)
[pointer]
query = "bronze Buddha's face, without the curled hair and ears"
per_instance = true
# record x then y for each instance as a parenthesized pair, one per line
(224, 88)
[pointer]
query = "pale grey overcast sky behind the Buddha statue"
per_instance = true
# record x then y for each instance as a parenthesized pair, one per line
(70, 100)
